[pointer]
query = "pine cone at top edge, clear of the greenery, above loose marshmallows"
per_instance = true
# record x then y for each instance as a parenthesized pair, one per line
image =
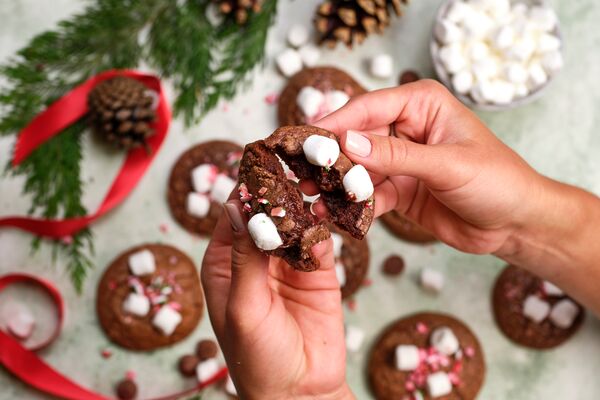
(351, 21)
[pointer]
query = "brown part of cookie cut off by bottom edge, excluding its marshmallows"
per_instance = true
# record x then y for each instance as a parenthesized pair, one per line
(464, 368)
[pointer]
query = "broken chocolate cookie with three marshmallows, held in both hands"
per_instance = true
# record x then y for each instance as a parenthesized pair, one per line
(278, 221)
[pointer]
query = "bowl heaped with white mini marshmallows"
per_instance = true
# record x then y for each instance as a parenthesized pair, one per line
(496, 54)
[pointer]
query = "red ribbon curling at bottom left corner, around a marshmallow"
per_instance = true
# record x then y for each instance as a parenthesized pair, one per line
(31, 369)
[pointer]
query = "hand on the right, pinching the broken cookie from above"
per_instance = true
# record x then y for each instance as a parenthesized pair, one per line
(446, 170)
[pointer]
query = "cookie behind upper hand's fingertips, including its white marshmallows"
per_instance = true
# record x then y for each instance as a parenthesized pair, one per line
(313, 93)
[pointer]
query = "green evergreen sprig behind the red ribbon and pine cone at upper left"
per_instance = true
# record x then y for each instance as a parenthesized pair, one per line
(205, 62)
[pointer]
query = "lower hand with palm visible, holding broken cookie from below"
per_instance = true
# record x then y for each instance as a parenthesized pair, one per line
(281, 330)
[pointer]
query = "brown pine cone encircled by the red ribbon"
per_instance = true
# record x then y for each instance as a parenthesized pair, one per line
(121, 109)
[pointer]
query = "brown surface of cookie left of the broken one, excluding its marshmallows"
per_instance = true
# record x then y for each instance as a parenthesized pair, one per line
(225, 157)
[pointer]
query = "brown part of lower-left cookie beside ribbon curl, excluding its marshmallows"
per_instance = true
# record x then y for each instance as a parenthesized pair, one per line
(174, 284)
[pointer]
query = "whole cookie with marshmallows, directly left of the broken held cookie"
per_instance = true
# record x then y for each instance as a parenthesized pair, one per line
(200, 182)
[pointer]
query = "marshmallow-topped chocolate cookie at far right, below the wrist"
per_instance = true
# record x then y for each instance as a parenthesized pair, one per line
(533, 312)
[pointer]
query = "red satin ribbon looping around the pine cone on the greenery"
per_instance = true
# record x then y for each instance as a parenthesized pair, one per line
(66, 111)
